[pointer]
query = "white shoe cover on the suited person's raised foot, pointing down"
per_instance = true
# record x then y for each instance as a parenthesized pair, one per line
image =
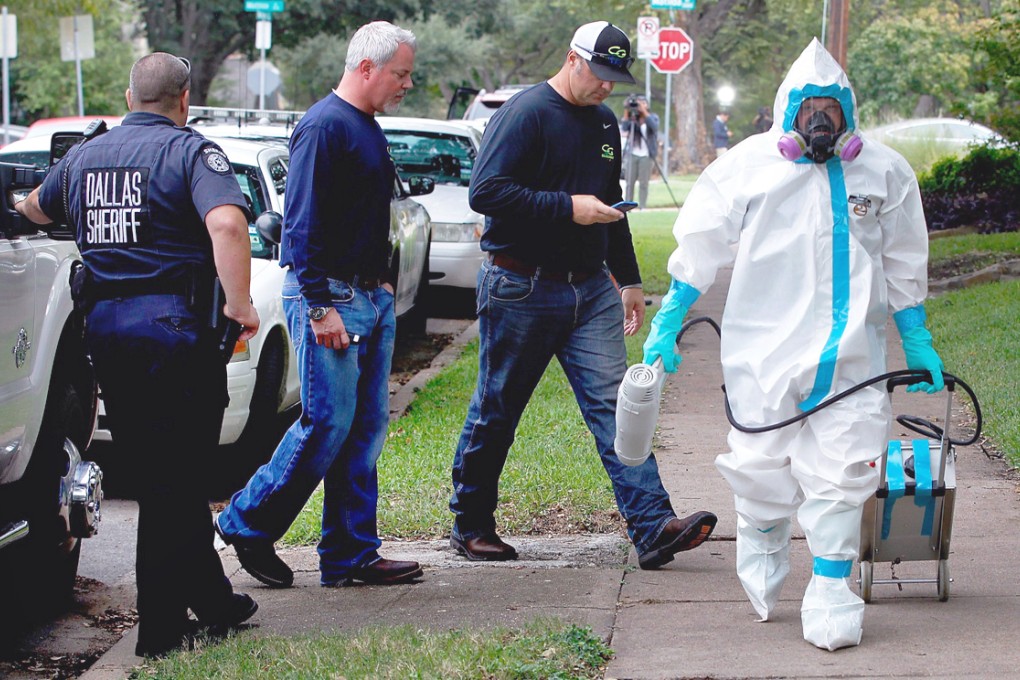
(763, 563)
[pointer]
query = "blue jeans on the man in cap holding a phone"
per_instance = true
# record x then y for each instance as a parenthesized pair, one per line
(524, 323)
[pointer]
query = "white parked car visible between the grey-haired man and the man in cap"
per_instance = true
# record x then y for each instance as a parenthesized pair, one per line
(445, 151)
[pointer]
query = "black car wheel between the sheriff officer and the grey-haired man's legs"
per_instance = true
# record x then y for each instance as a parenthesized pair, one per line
(259, 440)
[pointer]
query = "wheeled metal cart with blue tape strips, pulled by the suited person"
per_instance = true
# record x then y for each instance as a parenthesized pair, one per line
(910, 517)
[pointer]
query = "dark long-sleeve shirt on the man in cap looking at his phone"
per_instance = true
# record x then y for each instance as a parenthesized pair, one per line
(539, 150)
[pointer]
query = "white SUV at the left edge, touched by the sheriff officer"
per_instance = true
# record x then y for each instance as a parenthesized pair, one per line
(49, 498)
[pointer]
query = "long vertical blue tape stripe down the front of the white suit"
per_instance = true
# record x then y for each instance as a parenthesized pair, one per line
(841, 285)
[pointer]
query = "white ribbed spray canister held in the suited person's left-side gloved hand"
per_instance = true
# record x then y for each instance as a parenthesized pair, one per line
(638, 412)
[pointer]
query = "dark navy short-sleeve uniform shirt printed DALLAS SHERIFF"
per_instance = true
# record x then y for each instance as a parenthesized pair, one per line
(138, 197)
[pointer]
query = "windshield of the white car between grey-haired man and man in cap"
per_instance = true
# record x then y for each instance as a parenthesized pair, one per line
(446, 159)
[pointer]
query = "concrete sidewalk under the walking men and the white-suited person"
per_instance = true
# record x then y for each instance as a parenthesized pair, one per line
(691, 619)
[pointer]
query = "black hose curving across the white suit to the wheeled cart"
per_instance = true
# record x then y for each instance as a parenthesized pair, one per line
(906, 377)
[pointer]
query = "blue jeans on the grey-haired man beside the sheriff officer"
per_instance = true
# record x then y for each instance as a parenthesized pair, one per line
(345, 402)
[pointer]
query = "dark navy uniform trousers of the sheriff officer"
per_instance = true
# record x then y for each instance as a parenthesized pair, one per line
(165, 389)
